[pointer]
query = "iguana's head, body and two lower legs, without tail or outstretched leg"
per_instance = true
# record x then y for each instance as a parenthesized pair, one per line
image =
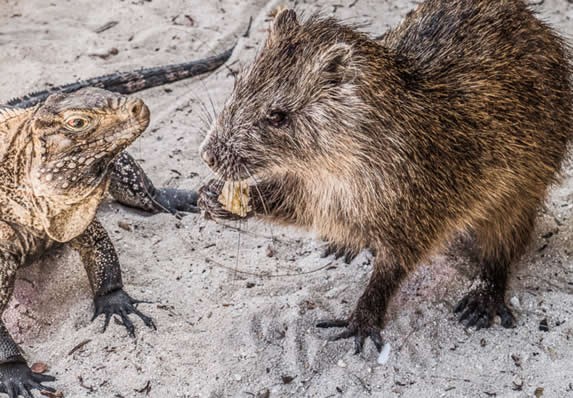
(54, 161)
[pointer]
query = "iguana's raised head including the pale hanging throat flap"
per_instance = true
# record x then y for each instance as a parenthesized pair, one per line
(75, 137)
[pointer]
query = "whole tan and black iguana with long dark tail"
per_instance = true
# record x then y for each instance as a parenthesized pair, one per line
(61, 150)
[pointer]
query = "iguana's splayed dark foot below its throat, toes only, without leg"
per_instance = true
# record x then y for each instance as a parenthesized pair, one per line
(120, 303)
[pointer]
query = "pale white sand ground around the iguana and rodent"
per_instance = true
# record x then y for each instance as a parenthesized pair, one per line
(243, 327)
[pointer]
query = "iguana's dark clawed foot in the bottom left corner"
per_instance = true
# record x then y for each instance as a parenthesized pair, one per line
(18, 380)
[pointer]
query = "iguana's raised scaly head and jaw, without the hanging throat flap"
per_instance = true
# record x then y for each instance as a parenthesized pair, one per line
(76, 137)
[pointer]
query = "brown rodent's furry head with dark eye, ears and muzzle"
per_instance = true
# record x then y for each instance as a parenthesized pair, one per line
(294, 105)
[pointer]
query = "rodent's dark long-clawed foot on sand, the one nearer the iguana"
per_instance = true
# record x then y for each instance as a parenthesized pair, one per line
(359, 330)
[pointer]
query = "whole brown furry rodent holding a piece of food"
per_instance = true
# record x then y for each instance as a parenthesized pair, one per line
(456, 121)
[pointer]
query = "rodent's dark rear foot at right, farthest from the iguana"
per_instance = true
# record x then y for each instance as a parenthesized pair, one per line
(480, 307)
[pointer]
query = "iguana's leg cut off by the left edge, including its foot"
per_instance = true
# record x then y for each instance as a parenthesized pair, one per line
(16, 378)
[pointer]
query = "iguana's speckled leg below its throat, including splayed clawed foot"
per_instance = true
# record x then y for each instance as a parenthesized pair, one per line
(102, 265)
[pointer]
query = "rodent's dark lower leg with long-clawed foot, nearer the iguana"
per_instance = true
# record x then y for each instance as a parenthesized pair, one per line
(367, 319)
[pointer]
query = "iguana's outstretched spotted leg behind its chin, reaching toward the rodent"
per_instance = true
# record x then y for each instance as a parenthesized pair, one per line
(131, 187)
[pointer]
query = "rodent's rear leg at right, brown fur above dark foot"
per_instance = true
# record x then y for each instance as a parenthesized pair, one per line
(497, 245)
